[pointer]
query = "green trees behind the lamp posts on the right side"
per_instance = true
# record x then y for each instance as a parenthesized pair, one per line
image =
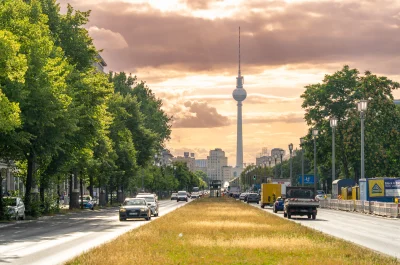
(337, 96)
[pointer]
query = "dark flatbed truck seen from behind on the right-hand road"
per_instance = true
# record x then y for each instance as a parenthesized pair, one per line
(300, 201)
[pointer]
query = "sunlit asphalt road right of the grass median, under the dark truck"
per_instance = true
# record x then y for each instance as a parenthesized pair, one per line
(374, 232)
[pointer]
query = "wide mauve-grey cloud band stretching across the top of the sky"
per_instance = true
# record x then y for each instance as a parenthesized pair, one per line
(297, 33)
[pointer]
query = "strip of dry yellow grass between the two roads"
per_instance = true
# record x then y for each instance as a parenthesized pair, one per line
(224, 231)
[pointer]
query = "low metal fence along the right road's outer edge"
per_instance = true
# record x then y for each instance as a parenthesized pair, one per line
(377, 208)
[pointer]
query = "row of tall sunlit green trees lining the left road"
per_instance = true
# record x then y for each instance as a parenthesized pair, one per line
(61, 119)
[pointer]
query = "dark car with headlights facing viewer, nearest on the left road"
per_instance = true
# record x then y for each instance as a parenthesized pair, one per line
(133, 208)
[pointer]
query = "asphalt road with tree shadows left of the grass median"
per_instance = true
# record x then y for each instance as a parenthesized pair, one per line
(57, 239)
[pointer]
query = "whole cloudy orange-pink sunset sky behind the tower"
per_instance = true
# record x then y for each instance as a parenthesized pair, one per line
(187, 52)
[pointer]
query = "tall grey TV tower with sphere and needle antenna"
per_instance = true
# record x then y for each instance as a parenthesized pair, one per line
(239, 94)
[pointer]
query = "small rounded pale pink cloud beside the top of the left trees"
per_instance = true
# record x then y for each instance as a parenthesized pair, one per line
(107, 39)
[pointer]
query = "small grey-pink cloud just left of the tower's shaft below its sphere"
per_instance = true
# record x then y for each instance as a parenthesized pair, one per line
(199, 115)
